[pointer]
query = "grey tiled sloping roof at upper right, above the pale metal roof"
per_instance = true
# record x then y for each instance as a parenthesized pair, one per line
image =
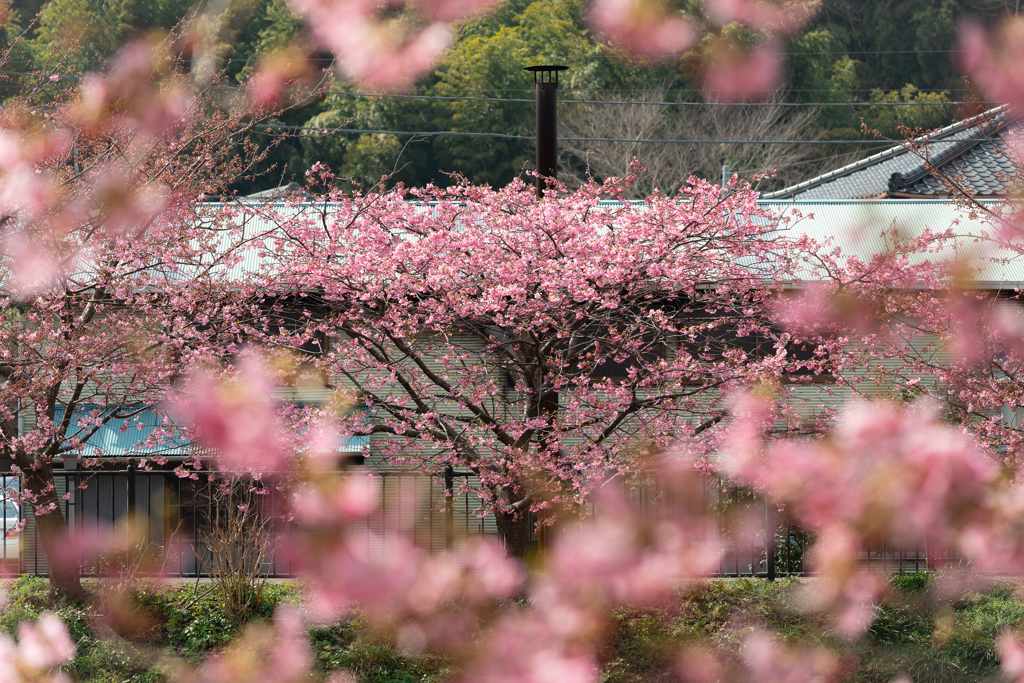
(972, 151)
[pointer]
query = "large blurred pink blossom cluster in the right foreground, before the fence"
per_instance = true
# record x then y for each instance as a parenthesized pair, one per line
(890, 474)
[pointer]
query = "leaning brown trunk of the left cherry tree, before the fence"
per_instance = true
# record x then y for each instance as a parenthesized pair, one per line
(52, 530)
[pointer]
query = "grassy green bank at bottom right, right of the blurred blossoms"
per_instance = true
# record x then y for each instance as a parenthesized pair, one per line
(912, 635)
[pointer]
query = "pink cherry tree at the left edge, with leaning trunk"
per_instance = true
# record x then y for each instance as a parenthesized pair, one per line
(108, 289)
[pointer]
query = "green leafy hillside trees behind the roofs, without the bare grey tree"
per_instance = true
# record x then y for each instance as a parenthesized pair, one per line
(858, 52)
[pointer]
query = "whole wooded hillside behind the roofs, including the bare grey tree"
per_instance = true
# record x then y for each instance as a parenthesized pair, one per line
(863, 54)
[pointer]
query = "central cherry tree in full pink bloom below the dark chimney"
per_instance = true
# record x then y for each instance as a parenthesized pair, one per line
(540, 346)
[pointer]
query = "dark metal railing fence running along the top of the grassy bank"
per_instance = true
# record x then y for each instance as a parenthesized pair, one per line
(175, 514)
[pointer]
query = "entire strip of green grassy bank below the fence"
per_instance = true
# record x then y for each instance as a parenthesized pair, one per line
(913, 634)
